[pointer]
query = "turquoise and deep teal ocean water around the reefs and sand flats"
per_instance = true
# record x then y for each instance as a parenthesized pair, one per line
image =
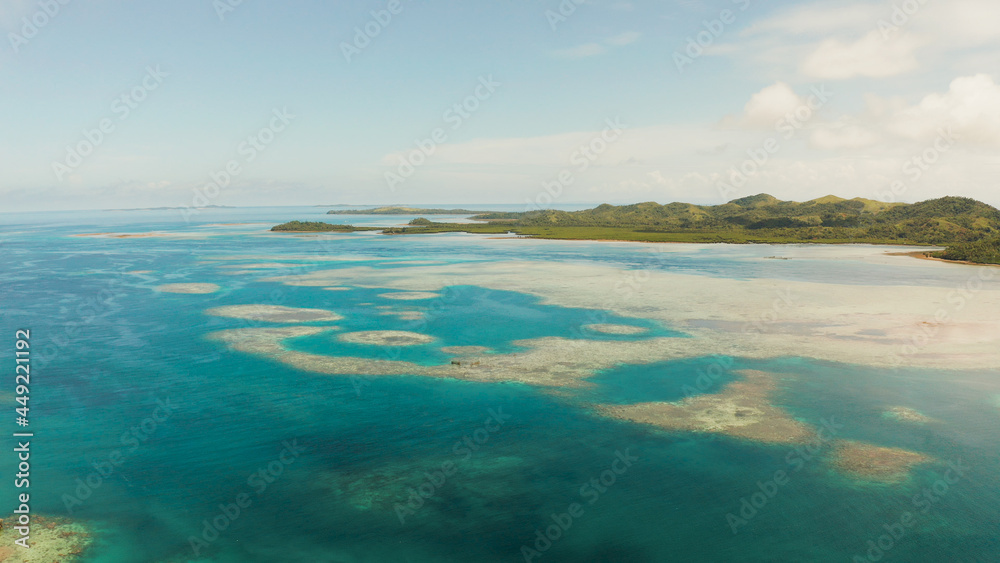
(109, 350)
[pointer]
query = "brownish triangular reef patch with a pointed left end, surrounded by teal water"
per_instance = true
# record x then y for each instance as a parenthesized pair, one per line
(741, 410)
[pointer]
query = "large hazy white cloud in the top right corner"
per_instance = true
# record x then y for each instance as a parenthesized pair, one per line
(837, 40)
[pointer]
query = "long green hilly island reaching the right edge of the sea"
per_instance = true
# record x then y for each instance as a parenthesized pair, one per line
(968, 228)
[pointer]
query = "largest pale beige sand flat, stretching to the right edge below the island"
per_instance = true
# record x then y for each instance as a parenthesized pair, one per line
(759, 318)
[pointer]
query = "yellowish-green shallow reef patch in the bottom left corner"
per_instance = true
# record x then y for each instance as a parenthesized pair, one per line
(53, 539)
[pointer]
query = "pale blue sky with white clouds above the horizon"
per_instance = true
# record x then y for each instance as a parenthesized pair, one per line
(110, 104)
